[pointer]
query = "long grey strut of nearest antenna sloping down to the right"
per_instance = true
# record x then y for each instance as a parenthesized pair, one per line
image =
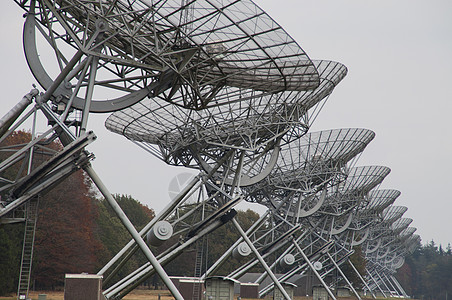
(133, 232)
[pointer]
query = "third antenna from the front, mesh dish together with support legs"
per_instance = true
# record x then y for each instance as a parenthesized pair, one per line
(281, 231)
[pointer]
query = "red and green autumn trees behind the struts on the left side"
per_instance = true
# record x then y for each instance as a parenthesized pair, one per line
(78, 232)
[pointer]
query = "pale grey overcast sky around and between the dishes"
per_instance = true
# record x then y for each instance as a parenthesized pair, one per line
(399, 84)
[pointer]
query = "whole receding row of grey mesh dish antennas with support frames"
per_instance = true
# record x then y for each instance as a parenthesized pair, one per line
(216, 86)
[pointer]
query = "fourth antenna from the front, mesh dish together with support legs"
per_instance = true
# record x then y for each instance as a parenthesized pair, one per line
(324, 243)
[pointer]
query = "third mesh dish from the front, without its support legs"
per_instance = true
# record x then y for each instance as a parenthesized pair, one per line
(306, 166)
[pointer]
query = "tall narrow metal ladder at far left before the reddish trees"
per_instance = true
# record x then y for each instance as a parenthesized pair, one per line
(27, 250)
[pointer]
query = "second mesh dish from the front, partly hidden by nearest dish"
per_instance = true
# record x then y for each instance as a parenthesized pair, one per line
(250, 123)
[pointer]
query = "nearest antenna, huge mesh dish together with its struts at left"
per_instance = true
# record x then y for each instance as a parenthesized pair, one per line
(185, 52)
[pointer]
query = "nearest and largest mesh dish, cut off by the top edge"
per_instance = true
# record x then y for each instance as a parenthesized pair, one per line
(140, 48)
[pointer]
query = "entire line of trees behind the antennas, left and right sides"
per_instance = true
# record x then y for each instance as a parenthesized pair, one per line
(78, 232)
